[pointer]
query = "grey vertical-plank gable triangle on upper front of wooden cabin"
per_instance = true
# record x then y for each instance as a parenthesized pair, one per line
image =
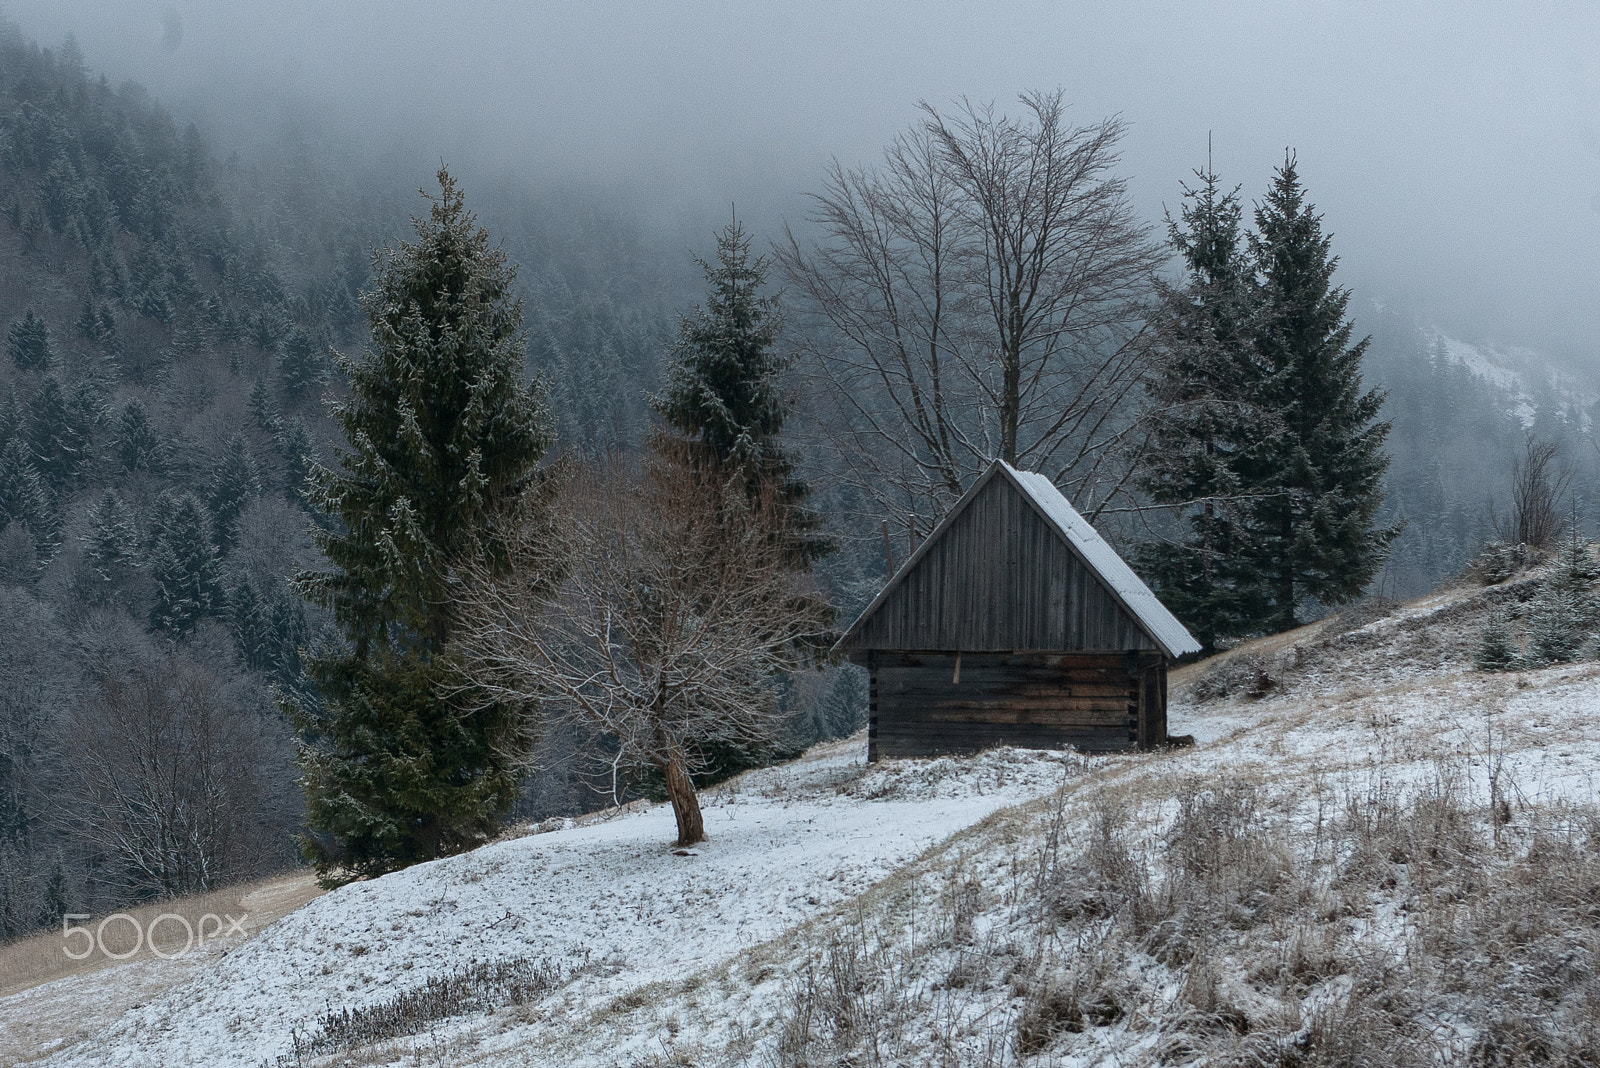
(999, 580)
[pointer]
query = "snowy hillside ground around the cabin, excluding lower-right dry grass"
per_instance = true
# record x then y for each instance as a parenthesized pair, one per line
(697, 952)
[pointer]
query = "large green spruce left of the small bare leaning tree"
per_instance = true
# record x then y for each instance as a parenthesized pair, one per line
(446, 440)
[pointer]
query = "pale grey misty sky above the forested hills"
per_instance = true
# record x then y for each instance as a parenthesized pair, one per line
(1457, 157)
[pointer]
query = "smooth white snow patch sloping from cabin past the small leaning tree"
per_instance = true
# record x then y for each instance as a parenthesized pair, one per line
(610, 901)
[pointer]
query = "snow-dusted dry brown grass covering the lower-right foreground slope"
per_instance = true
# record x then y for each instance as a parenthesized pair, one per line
(1398, 927)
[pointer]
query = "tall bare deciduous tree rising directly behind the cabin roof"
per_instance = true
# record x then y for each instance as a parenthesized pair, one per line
(982, 295)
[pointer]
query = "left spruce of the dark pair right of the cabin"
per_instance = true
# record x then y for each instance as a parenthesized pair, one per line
(1206, 420)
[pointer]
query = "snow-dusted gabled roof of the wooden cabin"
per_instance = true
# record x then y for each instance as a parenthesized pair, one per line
(1081, 538)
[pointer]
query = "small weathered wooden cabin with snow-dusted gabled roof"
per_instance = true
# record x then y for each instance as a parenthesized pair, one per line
(1015, 624)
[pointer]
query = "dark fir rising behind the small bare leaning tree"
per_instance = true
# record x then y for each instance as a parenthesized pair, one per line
(726, 400)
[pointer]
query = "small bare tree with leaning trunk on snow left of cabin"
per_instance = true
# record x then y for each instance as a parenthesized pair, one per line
(657, 610)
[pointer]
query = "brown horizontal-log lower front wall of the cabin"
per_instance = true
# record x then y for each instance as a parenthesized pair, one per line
(1094, 703)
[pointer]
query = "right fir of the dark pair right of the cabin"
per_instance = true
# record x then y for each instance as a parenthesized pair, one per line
(1318, 466)
